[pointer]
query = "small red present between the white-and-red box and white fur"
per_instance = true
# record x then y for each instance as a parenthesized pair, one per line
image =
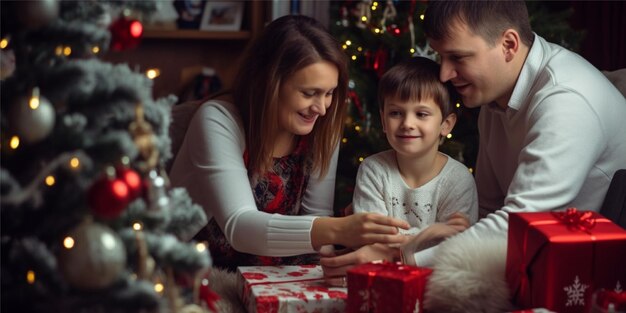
(380, 287)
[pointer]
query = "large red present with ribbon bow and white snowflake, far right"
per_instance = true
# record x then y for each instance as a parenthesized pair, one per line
(556, 260)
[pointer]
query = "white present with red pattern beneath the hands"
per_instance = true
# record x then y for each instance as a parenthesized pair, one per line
(298, 288)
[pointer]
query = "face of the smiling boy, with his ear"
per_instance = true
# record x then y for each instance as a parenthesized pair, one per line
(413, 128)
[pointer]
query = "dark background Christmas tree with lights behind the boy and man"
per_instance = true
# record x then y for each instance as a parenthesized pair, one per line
(377, 35)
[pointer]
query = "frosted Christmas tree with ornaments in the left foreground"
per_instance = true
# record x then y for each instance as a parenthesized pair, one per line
(89, 223)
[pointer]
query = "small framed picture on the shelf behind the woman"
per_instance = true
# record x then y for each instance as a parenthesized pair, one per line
(222, 16)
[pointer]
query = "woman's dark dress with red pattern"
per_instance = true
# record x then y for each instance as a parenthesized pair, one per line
(279, 192)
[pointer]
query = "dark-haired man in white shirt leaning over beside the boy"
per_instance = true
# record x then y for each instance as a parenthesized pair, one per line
(551, 125)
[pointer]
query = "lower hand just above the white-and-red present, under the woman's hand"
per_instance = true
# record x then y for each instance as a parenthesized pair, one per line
(336, 264)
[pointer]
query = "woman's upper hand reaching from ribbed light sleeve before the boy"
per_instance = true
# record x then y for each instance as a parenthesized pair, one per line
(357, 230)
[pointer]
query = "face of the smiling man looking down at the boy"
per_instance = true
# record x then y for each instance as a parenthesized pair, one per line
(476, 69)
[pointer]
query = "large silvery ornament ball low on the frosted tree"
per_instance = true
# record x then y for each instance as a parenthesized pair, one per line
(93, 257)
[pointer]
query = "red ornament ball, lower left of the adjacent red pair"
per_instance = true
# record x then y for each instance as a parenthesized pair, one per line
(108, 197)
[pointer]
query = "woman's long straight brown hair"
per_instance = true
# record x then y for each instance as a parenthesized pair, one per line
(287, 45)
